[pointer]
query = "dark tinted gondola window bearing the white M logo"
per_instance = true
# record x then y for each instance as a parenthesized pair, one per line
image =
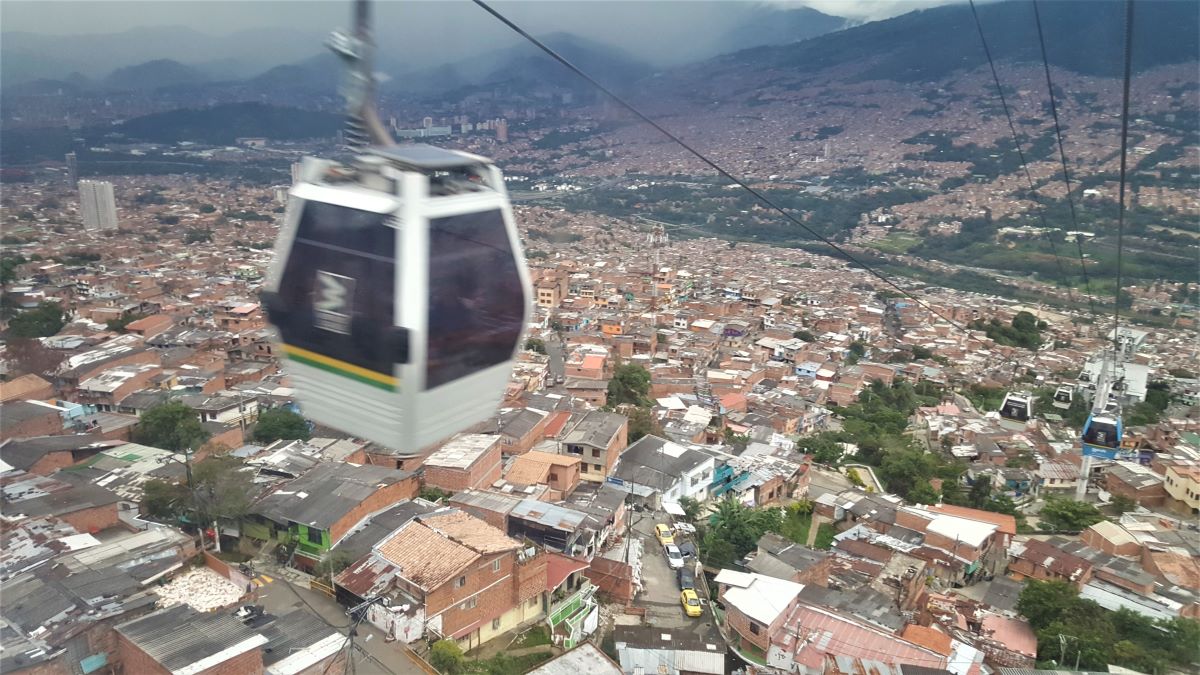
(337, 294)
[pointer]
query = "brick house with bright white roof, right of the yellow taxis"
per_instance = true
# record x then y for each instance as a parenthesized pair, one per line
(757, 606)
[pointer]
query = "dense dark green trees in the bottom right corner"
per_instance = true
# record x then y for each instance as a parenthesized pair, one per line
(1102, 638)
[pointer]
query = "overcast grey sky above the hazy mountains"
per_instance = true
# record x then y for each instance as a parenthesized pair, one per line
(663, 32)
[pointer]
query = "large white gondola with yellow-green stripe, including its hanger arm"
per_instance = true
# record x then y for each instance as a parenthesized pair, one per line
(399, 288)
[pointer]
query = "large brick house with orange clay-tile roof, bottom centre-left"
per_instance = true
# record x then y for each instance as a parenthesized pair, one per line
(452, 575)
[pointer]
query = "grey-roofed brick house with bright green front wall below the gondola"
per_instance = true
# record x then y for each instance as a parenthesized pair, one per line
(321, 507)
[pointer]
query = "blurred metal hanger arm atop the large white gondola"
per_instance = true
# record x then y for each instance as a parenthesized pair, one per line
(357, 50)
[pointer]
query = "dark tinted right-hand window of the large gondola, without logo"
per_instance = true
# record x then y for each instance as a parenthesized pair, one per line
(477, 303)
